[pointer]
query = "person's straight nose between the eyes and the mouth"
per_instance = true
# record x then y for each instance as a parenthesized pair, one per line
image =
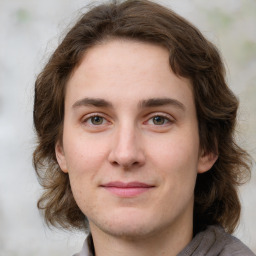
(127, 149)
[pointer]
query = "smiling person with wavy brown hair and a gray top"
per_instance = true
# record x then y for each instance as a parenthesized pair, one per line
(135, 126)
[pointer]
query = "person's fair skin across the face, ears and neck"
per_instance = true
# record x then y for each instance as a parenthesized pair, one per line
(129, 118)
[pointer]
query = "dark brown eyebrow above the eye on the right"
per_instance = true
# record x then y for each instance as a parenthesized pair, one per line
(156, 102)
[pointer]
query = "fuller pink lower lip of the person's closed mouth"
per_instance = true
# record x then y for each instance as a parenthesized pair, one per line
(127, 192)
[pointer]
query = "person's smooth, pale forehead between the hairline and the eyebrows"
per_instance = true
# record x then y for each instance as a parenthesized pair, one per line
(129, 70)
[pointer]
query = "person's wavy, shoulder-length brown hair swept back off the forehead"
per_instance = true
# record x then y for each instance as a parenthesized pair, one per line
(191, 56)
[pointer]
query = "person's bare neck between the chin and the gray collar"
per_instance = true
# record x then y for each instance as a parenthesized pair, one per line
(164, 242)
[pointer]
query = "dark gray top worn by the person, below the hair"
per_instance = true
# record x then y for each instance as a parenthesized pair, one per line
(213, 241)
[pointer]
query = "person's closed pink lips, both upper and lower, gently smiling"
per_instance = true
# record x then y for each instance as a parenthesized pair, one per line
(130, 189)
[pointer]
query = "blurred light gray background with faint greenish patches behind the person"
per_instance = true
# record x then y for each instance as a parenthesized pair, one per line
(29, 31)
